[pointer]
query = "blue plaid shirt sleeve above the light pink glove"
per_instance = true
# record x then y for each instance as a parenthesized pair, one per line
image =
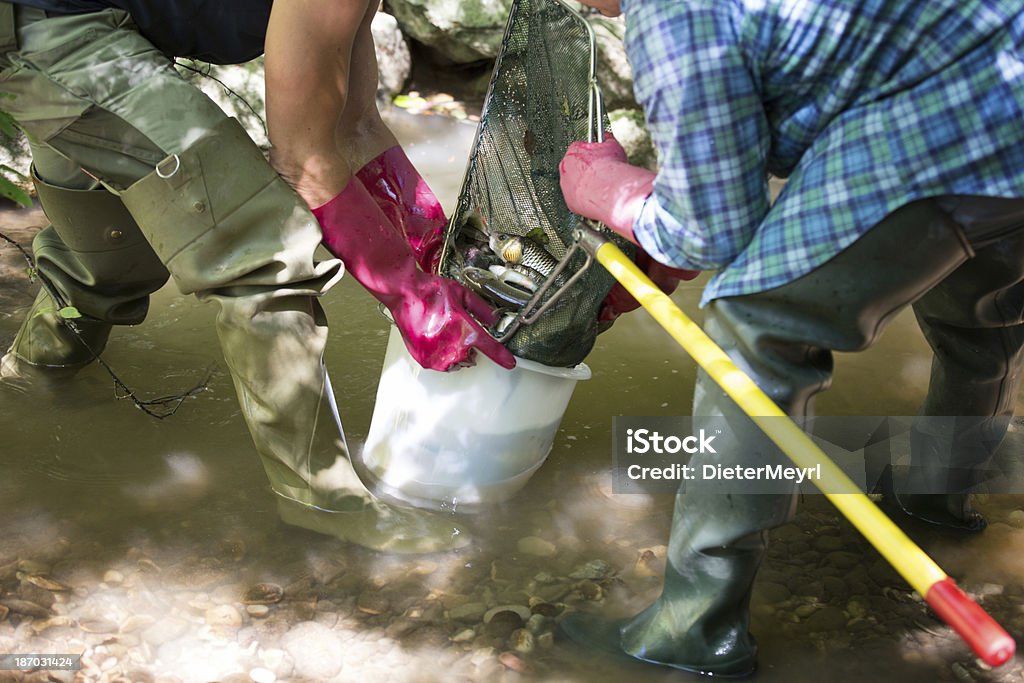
(709, 126)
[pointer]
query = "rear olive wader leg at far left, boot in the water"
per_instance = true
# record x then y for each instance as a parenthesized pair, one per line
(96, 260)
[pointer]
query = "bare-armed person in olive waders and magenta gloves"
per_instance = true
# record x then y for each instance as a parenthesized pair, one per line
(143, 177)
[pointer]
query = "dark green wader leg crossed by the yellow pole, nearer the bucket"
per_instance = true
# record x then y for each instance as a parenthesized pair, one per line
(784, 339)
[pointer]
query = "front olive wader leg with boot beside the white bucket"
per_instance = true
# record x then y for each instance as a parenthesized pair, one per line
(232, 231)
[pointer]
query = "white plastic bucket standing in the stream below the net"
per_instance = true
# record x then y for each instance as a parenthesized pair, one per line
(465, 438)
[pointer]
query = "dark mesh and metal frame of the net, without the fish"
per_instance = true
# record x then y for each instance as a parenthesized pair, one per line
(543, 96)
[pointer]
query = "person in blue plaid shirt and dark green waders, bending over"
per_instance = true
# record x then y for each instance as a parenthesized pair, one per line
(900, 126)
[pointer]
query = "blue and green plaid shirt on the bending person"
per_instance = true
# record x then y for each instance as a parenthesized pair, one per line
(863, 105)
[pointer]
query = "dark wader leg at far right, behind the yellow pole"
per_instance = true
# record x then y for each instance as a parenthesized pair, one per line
(974, 322)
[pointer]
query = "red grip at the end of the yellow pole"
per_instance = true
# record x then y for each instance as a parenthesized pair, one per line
(978, 630)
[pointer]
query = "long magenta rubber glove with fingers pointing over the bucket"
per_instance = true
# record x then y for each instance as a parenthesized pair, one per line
(435, 315)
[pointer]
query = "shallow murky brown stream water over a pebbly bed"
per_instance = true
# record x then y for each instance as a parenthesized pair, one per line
(160, 532)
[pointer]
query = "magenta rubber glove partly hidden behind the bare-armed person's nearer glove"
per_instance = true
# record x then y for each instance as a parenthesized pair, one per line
(409, 203)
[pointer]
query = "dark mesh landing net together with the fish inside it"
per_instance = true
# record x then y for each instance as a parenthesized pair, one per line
(511, 227)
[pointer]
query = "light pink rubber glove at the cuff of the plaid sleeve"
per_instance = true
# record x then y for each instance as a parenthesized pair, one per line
(599, 183)
